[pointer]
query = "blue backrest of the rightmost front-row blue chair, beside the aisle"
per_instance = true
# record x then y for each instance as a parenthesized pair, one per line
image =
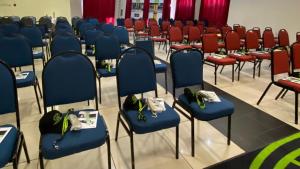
(187, 68)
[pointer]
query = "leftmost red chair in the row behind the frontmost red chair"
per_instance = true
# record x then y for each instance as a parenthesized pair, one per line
(232, 43)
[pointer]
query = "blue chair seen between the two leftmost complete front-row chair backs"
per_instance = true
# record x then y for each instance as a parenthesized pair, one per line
(107, 48)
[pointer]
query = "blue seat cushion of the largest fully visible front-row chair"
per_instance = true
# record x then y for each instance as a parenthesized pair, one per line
(74, 141)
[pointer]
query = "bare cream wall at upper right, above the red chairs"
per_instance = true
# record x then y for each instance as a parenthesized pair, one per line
(262, 13)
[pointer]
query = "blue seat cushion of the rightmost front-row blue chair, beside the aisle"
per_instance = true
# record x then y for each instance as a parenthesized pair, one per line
(212, 110)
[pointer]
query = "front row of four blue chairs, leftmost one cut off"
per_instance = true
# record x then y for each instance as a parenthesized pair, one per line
(67, 68)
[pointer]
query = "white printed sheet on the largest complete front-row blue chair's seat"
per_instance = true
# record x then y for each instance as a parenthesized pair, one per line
(88, 119)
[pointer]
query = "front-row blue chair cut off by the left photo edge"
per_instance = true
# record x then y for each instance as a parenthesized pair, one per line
(12, 145)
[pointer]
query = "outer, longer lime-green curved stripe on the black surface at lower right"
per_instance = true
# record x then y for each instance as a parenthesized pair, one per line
(265, 153)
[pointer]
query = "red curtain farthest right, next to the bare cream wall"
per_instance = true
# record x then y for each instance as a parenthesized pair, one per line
(215, 12)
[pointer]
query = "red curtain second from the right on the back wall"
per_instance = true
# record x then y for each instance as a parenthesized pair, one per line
(185, 10)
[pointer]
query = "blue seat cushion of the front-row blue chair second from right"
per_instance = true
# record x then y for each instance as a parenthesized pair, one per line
(164, 120)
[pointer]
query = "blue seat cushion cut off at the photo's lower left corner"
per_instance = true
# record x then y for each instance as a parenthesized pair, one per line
(7, 146)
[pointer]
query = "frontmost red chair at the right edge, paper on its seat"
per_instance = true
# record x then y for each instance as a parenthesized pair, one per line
(280, 65)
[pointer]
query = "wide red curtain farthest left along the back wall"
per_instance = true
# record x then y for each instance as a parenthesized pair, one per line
(103, 10)
